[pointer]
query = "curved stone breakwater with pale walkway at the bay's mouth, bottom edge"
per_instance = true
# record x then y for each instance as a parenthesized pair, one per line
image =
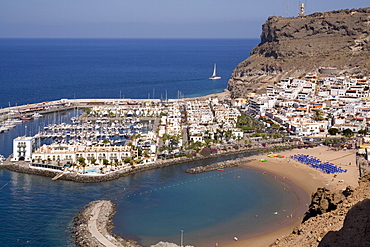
(92, 226)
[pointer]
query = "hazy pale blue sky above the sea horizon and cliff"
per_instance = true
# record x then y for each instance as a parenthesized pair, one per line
(150, 18)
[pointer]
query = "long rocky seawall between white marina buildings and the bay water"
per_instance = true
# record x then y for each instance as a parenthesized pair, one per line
(23, 167)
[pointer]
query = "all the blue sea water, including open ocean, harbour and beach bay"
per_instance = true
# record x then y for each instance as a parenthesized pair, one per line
(159, 205)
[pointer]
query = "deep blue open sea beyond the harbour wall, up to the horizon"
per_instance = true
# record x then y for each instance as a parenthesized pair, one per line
(37, 70)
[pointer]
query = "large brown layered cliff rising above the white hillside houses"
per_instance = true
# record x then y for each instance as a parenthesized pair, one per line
(296, 46)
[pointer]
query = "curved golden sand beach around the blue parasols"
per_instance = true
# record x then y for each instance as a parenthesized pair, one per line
(308, 179)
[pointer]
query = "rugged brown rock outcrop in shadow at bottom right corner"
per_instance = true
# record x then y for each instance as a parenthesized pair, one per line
(342, 219)
